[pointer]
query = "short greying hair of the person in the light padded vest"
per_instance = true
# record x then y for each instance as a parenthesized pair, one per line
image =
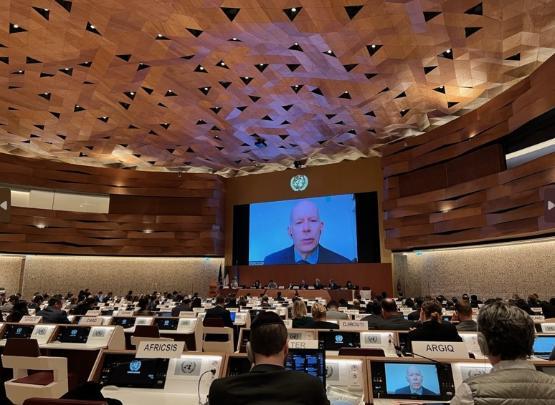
(508, 330)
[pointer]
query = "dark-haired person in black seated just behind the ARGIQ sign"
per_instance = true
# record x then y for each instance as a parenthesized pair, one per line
(432, 327)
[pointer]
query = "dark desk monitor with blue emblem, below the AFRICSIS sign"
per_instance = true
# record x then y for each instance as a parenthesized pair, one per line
(124, 370)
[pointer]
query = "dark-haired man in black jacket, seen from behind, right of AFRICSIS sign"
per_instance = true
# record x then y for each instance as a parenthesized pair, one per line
(268, 382)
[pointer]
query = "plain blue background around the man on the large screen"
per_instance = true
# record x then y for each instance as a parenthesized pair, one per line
(269, 221)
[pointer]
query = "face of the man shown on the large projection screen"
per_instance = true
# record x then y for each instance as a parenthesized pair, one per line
(305, 227)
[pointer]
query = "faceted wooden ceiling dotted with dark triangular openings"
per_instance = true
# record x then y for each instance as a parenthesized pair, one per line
(233, 87)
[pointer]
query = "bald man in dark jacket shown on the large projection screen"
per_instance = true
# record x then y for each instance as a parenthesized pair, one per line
(305, 228)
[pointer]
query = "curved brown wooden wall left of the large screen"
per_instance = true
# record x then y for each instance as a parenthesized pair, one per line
(183, 212)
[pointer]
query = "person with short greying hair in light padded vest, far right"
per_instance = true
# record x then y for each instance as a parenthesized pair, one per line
(506, 337)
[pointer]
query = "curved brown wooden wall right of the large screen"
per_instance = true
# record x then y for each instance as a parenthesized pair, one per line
(501, 204)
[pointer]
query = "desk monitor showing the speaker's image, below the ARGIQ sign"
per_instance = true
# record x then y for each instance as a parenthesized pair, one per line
(412, 380)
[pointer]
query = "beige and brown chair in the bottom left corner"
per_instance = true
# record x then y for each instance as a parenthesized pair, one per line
(49, 381)
